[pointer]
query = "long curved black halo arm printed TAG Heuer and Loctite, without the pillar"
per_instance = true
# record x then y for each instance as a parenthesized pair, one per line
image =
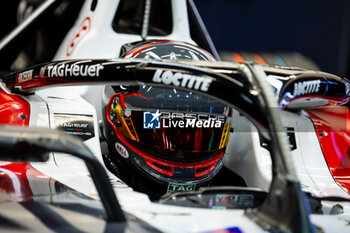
(227, 81)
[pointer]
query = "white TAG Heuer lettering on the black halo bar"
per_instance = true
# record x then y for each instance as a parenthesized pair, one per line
(74, 70)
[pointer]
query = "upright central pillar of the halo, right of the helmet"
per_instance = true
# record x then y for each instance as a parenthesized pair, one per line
(291, 213)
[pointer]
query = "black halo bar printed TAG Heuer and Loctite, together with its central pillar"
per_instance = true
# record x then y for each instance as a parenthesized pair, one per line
(238, 85)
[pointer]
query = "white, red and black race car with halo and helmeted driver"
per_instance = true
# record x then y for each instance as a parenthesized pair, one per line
(238, 97)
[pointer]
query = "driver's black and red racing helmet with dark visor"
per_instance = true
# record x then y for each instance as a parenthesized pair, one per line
(165, 138)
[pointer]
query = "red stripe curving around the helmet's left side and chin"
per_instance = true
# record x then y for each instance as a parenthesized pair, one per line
(150, 160)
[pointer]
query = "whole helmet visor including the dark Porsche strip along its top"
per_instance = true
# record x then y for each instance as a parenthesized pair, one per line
(190, 122)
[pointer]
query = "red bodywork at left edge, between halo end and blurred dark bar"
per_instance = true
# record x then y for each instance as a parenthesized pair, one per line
(14, 110)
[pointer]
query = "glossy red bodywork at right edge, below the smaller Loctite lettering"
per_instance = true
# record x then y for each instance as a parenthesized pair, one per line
(333, 132)
